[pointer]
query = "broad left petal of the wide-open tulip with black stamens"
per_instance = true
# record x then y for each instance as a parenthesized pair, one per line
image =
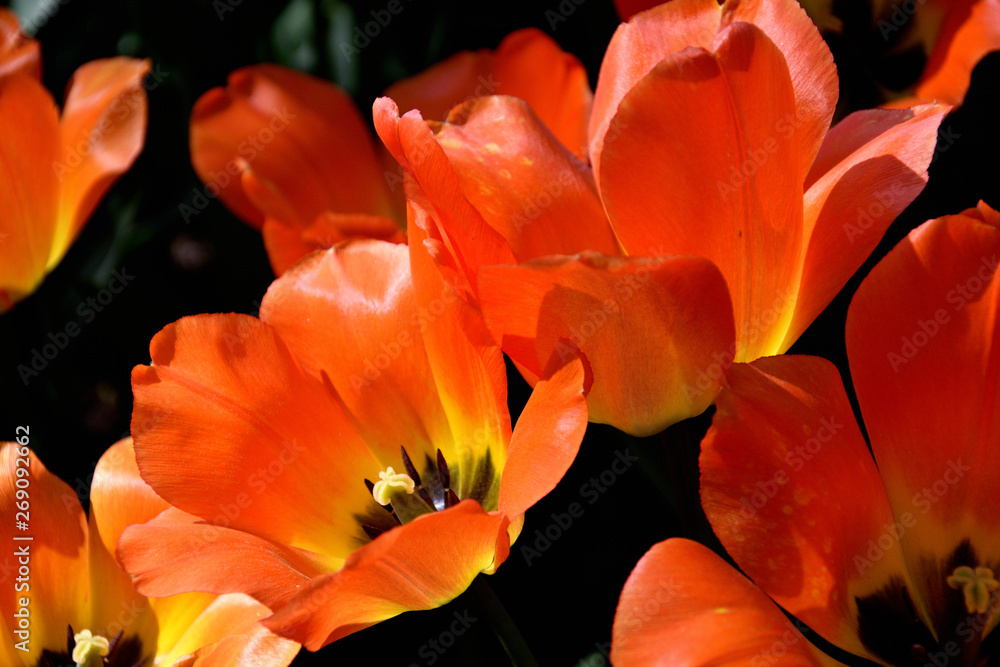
(265, 447)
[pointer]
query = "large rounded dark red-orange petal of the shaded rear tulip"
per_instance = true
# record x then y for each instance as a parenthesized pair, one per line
(295, 132)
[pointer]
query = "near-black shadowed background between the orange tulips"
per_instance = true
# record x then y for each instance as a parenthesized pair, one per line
(80, 403)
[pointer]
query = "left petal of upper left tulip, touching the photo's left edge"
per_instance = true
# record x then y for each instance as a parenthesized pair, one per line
(28, 186)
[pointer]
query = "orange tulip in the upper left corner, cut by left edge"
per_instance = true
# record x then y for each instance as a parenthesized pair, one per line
(56, 170)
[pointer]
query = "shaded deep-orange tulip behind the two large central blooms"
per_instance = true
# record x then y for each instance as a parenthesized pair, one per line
(290, 154)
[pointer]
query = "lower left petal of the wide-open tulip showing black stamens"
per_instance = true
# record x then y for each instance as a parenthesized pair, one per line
(178, 553)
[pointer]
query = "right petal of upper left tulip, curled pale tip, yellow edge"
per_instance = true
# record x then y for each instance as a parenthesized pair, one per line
(102, 131)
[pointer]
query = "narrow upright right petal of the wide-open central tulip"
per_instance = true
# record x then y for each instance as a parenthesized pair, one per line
(548, 435)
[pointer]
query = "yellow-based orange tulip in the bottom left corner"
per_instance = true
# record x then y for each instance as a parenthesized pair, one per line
(67, 602)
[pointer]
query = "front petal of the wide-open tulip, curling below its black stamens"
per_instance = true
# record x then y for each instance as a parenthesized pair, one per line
(420, 565)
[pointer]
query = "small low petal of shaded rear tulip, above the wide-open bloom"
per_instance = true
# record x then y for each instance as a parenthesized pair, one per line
(287, 244)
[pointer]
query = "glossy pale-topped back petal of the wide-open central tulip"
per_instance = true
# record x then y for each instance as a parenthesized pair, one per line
(349, 314)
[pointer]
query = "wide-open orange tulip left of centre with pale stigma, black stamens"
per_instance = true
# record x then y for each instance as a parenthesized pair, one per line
(348, 456)
